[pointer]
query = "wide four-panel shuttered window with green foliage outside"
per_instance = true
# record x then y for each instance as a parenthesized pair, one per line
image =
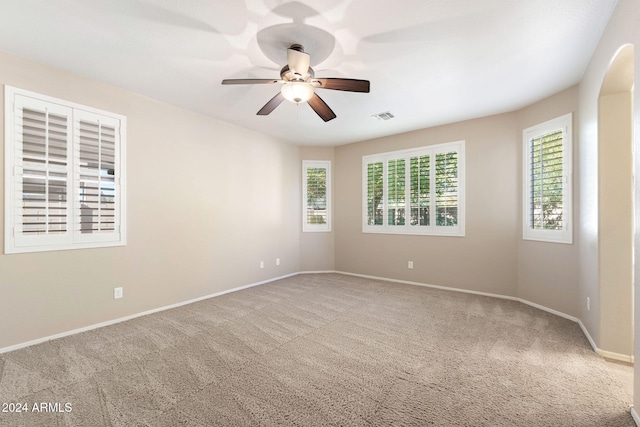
(417, 191)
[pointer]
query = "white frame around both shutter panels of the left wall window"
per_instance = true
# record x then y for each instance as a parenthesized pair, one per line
(71, 239)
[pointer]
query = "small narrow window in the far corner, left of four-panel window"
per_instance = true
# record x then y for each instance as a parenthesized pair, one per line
(316, 195)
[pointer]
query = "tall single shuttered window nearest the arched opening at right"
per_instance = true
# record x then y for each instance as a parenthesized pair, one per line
(547, 181)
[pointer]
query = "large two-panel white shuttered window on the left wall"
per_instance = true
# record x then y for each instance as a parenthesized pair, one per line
(64, 175)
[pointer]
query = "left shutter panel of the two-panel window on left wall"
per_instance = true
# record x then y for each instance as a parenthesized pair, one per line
(40, 187)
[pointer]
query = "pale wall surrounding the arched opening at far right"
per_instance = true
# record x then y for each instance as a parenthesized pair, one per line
(622, 29)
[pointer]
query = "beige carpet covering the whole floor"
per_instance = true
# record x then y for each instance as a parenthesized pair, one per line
(316, 350)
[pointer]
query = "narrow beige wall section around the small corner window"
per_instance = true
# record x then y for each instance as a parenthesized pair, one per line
(317, 249)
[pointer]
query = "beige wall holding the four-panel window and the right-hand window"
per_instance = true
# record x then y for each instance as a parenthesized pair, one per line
(492, 257)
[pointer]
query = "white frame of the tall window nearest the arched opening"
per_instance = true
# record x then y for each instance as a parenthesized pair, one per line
(565, 235)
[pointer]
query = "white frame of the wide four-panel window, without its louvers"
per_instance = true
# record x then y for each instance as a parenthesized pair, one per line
(407, 229)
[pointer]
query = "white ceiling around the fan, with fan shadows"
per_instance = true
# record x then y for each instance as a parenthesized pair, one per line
(430, 62)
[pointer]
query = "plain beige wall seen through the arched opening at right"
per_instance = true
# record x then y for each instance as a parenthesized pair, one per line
(615, 222)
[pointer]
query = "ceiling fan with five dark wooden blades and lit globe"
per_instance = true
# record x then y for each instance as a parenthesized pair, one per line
(299, 84)
